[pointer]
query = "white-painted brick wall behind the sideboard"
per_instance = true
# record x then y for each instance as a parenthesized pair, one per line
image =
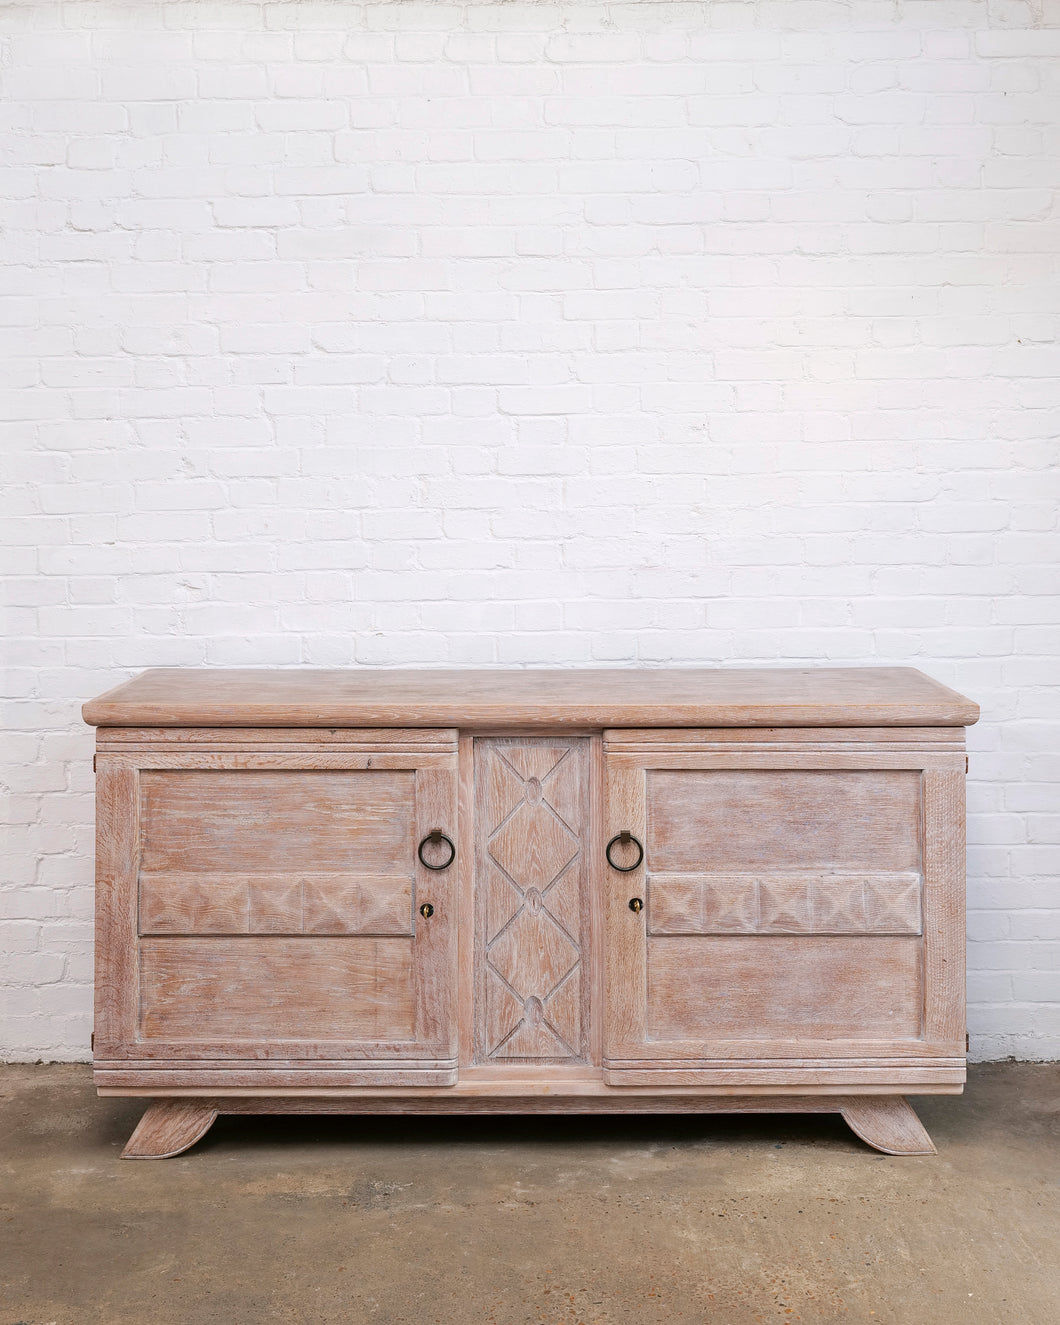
(521, 333)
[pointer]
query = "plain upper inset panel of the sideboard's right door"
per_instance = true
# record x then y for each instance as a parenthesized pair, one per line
(793, 821)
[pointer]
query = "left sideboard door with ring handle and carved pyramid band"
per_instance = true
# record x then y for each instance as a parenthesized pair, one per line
(268, 908)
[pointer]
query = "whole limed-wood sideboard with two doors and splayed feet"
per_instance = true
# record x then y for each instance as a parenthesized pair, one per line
(531, 892)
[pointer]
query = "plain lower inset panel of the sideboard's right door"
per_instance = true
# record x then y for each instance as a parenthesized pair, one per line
(777, 989)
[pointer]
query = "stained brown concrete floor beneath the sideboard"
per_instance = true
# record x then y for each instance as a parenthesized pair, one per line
(714, 1221)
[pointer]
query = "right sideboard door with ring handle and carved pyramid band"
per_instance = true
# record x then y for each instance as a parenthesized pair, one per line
(802, 915)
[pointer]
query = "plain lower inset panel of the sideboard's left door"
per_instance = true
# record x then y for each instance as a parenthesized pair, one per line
(274, 989)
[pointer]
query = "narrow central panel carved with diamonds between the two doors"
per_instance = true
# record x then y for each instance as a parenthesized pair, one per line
(531, 911)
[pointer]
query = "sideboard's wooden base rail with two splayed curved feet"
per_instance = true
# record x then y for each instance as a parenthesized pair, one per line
(883, 1122)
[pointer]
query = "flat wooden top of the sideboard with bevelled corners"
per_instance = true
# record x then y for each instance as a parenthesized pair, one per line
(487, 699)
